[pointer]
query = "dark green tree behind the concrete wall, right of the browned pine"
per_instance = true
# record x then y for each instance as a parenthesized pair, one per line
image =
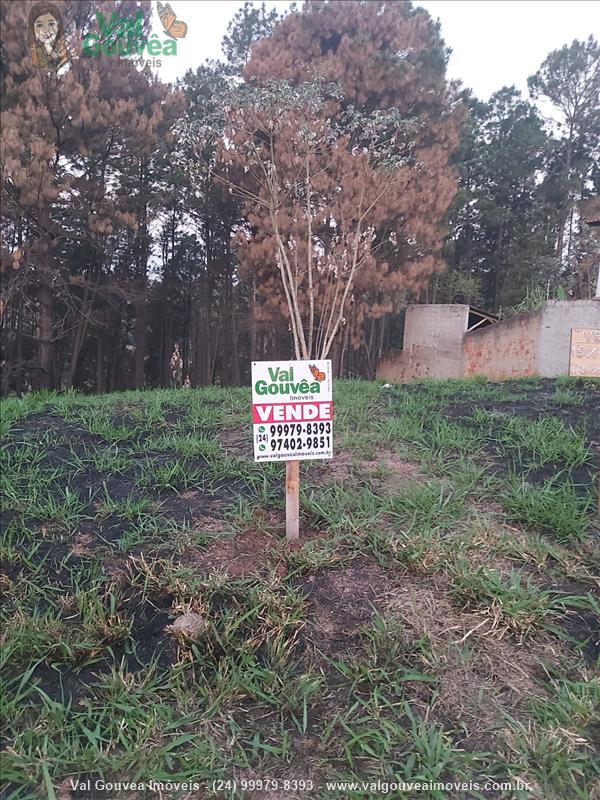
(498, 236)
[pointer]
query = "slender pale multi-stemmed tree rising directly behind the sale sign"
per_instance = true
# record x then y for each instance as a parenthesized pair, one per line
(322, 230)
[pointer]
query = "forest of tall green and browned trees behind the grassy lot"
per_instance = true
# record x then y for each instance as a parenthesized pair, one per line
(147, 227)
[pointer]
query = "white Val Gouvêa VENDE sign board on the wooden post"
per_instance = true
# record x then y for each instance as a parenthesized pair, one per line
(292, 410)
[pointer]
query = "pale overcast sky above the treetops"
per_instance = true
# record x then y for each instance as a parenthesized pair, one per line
(494, 42)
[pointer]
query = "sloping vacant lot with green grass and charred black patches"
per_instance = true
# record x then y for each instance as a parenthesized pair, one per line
(439, 620)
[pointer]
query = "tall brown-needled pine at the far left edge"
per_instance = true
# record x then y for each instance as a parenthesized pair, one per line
(68, 137)
